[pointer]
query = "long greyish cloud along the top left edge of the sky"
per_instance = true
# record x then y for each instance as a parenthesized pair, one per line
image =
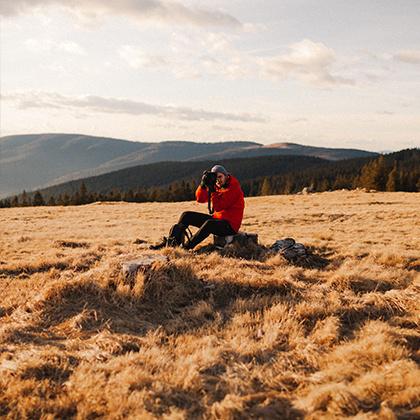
(163, 11)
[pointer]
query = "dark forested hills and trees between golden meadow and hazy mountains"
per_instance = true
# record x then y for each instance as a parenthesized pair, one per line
(268, 175)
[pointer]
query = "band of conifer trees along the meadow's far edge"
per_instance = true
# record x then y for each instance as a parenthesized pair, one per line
(398, 171)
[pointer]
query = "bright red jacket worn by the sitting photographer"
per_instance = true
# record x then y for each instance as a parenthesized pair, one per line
(228, 202)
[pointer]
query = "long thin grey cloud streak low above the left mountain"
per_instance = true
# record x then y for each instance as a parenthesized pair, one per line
(48, 100)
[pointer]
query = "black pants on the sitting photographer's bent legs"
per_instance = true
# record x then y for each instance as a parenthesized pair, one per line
(207, 226)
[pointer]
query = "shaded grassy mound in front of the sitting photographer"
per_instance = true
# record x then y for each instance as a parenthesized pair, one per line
(169, 296)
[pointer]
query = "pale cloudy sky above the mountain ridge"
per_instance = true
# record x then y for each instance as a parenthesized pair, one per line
(330, 73)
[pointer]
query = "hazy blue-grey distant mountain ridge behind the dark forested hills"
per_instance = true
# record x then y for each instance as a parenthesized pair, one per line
(28, 162)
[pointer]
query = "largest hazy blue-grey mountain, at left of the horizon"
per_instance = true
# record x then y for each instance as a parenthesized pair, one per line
(31, 161)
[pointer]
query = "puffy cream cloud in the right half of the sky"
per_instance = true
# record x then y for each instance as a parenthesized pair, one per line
(308, 61)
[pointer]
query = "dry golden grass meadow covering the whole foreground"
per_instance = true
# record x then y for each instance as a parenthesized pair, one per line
(206, 335)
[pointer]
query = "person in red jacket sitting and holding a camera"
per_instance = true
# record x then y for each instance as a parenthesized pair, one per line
(226, 204)
